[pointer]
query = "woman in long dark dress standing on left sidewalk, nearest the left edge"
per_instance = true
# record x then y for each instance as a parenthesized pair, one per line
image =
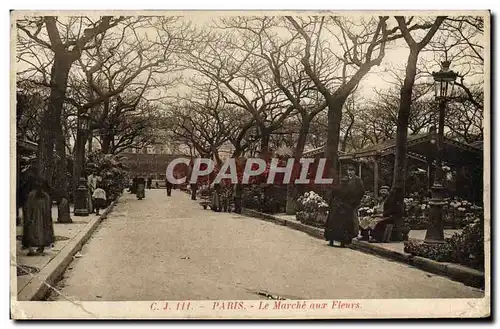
(38, 228)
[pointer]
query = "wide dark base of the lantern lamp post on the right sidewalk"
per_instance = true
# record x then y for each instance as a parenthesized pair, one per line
(435, 227)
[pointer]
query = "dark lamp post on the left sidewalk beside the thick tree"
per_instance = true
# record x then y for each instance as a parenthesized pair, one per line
(80, 189)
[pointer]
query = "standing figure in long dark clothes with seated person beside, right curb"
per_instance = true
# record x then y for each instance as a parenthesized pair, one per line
(343, 224)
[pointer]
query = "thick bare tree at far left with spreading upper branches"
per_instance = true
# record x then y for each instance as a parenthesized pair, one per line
(66, 39)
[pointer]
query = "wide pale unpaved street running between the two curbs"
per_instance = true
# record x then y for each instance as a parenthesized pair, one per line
(169, 248)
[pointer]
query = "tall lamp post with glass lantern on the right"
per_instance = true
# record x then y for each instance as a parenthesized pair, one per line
(444, 82)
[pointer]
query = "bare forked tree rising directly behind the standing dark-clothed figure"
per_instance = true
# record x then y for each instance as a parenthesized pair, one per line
(361, 51)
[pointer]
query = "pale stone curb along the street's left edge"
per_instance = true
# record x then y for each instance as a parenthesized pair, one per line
(38, 286)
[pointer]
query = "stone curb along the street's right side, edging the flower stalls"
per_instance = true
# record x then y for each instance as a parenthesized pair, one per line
(467, 276)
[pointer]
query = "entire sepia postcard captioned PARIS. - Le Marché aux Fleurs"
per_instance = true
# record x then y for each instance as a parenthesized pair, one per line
(250, 165)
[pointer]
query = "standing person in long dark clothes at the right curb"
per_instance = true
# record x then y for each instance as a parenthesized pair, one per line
(342, 224)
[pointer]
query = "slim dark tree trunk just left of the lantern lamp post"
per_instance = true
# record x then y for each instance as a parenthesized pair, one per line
(396, 196)
